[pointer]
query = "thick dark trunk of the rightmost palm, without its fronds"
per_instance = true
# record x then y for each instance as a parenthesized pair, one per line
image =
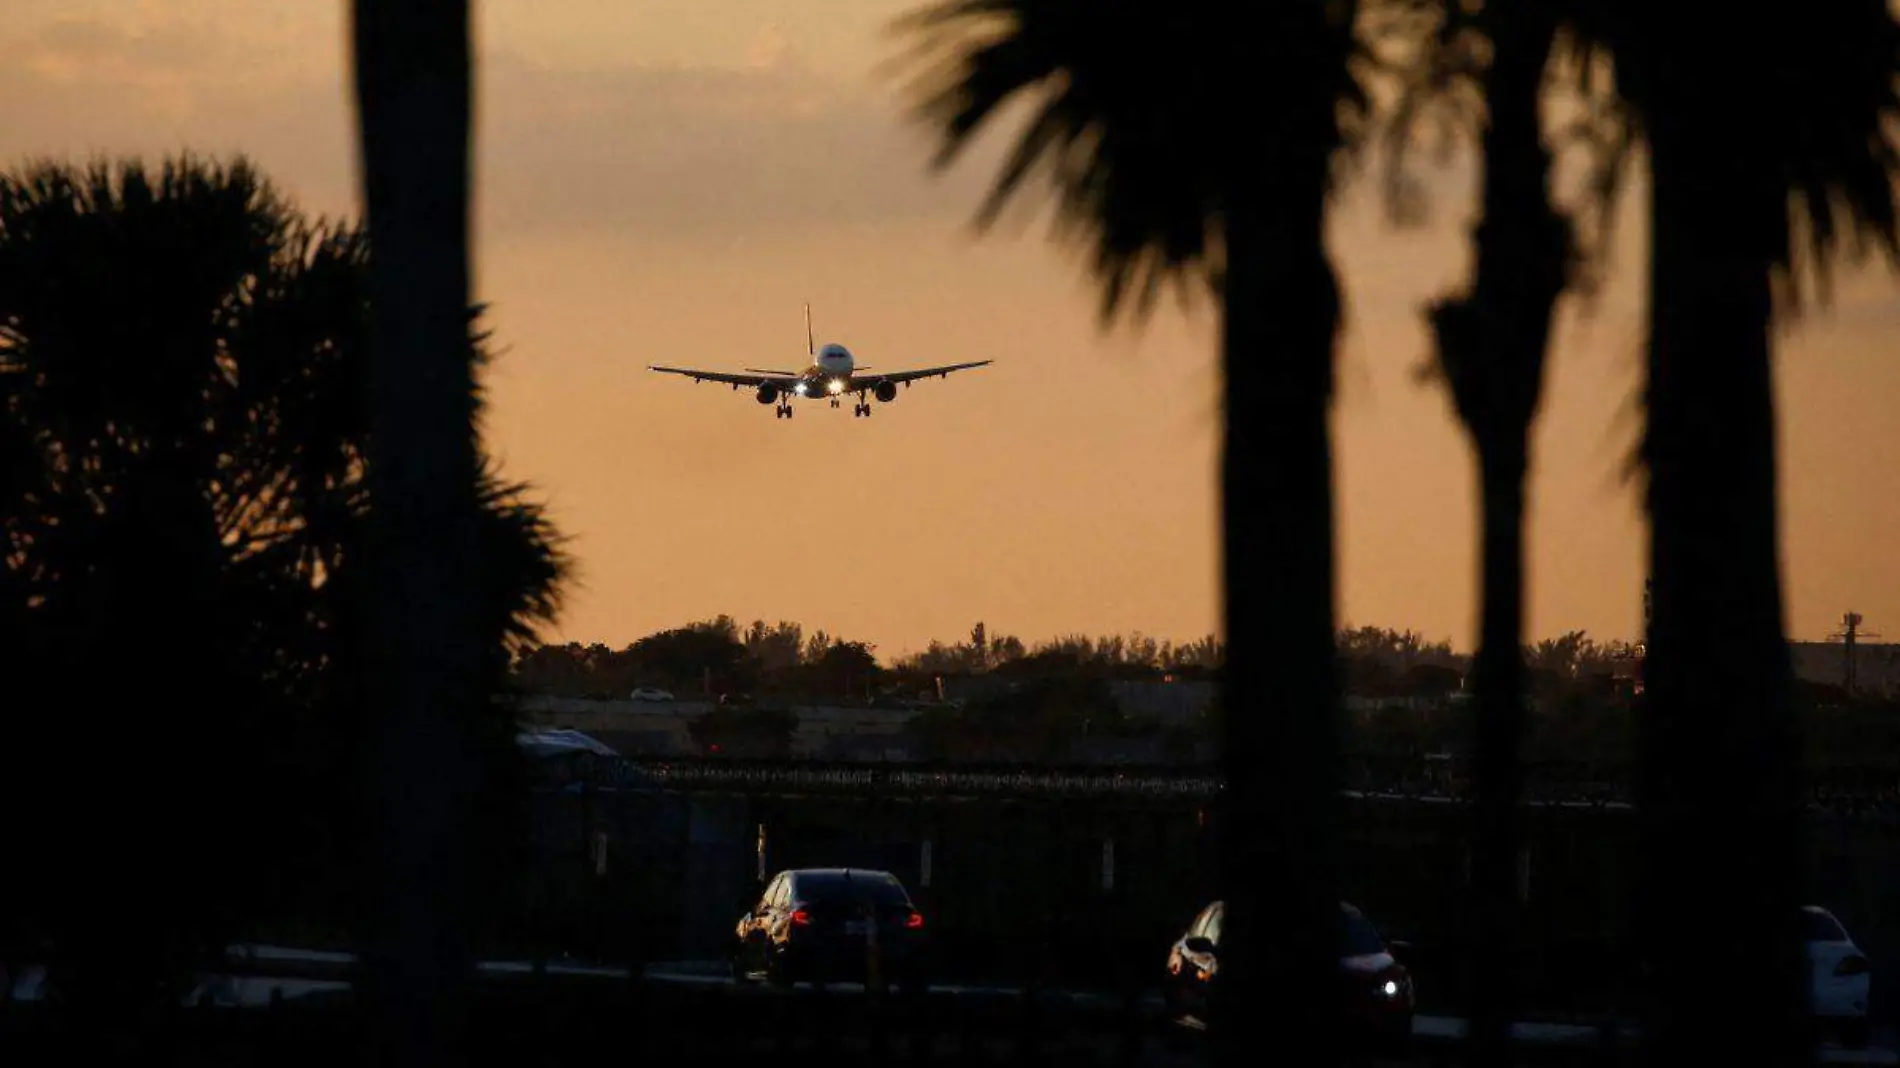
(1720, 795)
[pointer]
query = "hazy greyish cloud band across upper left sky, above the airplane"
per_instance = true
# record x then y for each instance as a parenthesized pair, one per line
(639, 151)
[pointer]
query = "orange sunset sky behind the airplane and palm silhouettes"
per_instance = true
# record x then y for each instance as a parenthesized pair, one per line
(666, 181)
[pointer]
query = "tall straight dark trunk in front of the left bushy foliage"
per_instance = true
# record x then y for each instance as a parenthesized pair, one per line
(427, 660)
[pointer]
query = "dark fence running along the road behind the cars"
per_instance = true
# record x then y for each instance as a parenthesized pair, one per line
(1093, 879)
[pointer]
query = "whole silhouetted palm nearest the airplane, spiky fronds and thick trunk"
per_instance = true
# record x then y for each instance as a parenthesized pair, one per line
(1187, 142)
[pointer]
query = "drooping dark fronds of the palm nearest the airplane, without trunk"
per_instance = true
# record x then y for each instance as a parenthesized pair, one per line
(1139, 117)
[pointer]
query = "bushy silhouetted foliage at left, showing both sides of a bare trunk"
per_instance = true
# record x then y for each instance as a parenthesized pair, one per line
(183, 372)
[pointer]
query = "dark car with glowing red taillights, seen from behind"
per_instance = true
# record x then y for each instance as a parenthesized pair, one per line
(826, 926)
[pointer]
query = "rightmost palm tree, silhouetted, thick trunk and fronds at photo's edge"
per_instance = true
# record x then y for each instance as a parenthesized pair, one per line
(1764, 157)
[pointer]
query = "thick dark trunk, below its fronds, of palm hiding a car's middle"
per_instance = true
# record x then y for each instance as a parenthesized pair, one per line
(1282, 748)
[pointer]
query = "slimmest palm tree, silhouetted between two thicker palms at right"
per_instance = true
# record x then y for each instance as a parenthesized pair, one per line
(1491, 353)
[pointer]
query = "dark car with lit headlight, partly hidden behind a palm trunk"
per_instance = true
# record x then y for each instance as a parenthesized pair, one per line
(1375, 987)
